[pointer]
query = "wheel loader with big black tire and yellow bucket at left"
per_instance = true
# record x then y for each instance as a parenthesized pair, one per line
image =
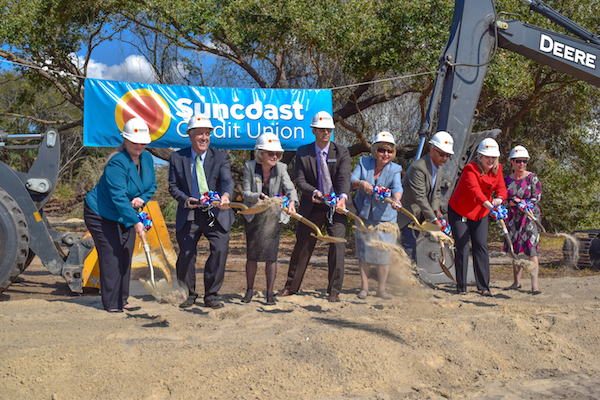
(25, 231)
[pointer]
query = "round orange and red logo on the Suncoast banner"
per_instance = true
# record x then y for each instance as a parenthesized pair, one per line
(145, 104)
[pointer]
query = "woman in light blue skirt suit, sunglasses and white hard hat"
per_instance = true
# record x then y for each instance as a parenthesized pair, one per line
(378, 170)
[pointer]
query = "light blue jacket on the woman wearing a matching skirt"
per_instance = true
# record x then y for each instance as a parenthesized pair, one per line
(371, 207)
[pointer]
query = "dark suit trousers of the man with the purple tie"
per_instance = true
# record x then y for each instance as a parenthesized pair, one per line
(305, 244)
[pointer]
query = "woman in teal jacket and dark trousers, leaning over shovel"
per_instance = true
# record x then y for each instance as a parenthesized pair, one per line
(110, 212)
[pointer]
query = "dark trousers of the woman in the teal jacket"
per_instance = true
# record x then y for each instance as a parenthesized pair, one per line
(114, 244)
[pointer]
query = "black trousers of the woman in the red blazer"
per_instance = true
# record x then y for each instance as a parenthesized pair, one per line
(477, 231)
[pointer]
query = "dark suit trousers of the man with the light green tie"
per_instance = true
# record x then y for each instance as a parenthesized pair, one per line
(214, 269)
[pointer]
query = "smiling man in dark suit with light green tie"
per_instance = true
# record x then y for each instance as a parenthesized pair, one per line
(194, 171)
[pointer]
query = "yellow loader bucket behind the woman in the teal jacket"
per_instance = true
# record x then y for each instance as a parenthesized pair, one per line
(161, 250)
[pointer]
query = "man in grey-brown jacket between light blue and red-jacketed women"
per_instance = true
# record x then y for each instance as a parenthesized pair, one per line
(421, 185)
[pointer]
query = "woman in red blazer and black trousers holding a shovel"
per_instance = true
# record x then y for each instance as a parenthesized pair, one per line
(469, 207)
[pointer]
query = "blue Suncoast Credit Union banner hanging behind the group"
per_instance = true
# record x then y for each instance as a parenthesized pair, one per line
(238, 115)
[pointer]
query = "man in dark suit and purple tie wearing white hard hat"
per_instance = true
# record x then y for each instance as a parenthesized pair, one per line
(322, 167)
